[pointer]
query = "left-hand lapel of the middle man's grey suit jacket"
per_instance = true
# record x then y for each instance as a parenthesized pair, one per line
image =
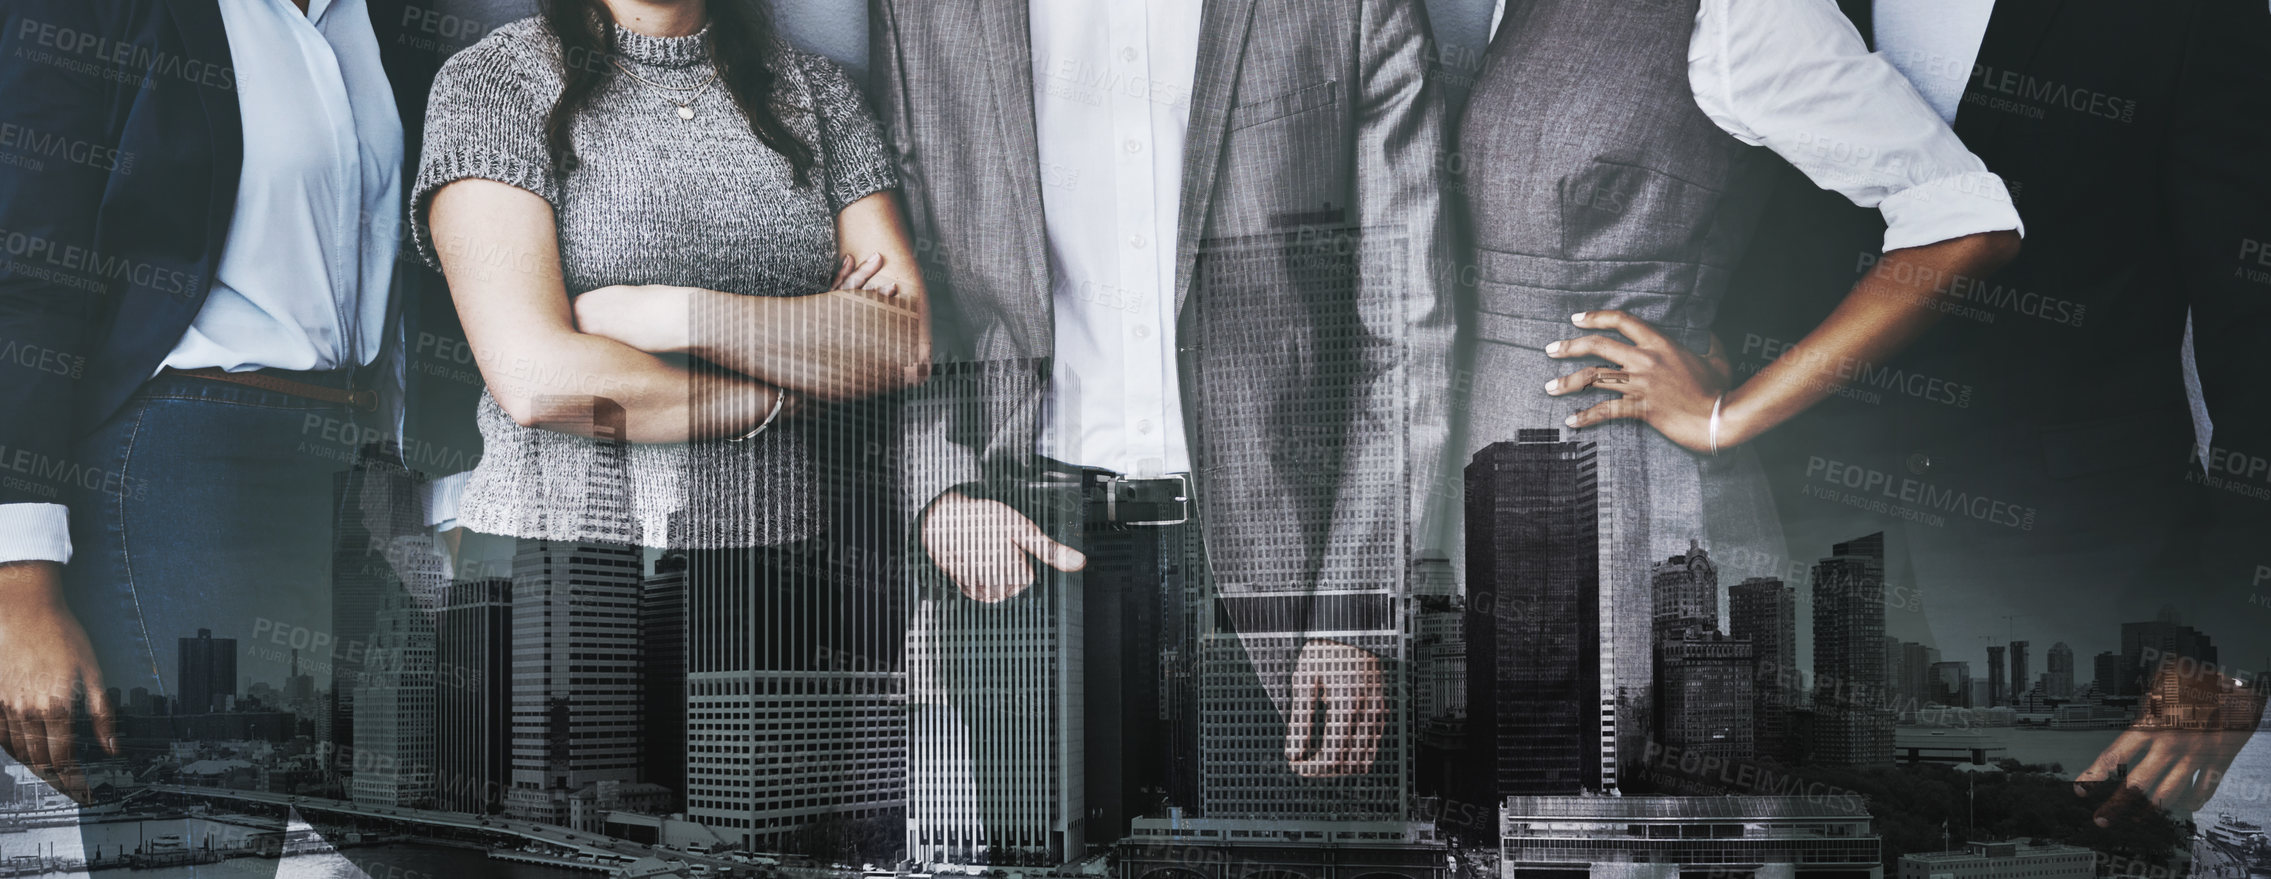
(1009, 53)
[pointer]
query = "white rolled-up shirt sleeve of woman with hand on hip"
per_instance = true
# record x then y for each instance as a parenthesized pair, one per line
(1797, 78)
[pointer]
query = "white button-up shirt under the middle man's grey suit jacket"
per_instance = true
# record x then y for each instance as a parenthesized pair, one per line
(1112, 106)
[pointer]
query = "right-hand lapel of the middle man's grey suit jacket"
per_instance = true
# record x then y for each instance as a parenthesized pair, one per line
(1223, 44)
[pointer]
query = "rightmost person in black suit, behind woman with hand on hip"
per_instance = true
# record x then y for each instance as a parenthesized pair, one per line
(2134, 140)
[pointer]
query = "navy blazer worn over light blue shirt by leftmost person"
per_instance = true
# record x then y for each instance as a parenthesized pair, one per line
(119, 160)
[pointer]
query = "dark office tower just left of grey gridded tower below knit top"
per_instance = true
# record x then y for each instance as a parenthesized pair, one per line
(474, 664)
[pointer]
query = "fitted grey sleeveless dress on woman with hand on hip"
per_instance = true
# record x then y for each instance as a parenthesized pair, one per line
(1598, 183)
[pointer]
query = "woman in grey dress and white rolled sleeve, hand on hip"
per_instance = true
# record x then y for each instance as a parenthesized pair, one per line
(1614, 176)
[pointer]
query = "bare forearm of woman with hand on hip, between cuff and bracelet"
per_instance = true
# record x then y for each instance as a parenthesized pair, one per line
(1886, 312)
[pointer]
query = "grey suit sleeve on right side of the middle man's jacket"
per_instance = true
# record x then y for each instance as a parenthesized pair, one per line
(1400, 419)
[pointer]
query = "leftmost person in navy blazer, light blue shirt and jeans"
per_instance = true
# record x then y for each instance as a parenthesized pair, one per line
(203, 212)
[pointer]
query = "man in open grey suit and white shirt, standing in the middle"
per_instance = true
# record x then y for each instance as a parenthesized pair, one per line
(1182, 281)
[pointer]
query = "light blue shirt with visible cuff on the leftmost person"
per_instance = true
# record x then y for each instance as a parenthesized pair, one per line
(303, 281)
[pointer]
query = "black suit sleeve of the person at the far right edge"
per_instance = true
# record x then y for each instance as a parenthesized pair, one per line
(2220, 219)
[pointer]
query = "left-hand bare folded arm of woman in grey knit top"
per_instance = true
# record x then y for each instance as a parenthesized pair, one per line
(501, 253)
